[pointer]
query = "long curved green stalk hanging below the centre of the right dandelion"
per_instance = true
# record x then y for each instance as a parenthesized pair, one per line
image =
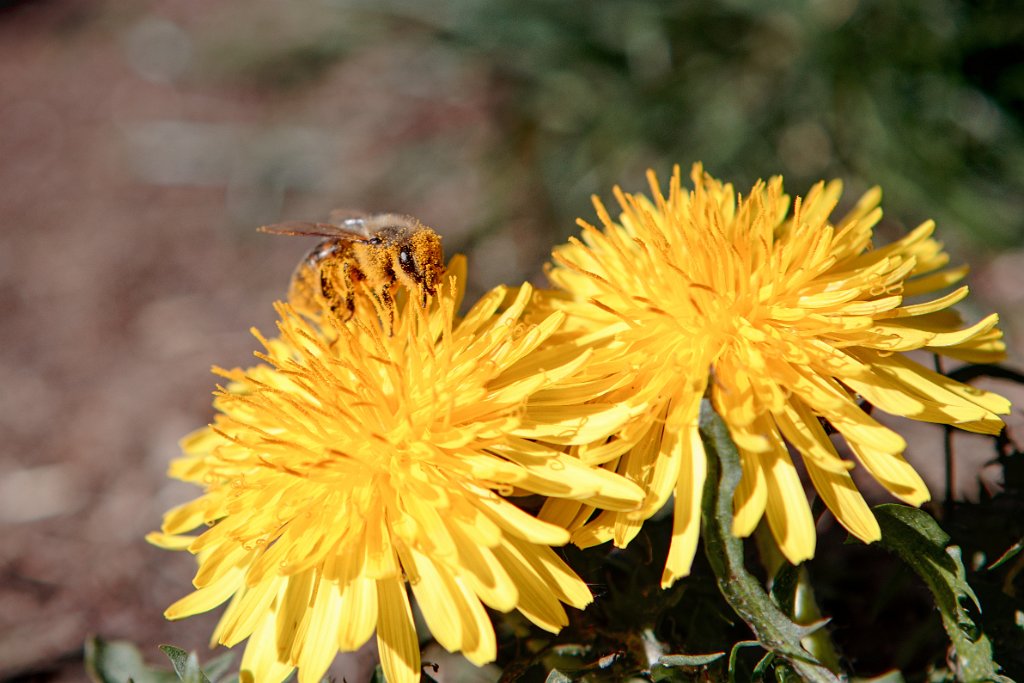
(775, 630)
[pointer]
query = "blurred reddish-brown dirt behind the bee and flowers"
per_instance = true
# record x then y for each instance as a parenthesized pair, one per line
(135, 166)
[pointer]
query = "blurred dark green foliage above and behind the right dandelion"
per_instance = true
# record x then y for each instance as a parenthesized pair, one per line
(925, 98)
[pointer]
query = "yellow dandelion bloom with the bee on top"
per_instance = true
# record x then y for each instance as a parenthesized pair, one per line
(354, 461)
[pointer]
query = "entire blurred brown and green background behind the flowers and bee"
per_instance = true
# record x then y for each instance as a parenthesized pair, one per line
(142, 144)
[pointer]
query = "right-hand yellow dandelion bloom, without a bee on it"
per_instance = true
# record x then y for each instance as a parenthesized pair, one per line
(787, 319)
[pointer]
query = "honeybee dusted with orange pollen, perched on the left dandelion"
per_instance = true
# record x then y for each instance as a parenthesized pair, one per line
(382, 250)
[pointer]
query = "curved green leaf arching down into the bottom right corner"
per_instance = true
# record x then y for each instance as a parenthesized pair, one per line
(920, 542)
